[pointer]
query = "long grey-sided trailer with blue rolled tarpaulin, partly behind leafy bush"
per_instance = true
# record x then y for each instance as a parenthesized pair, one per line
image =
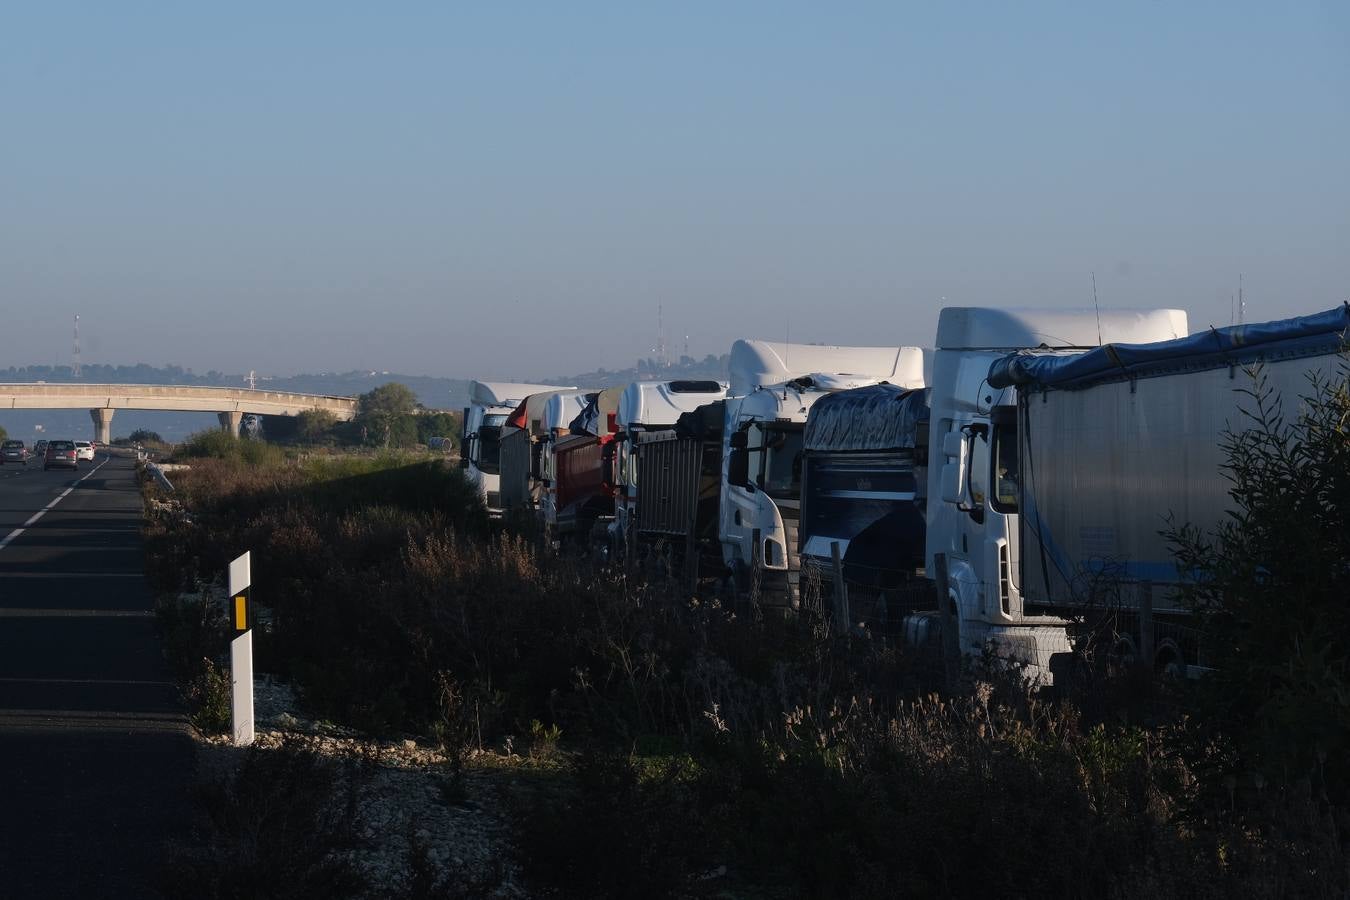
(1104, 453)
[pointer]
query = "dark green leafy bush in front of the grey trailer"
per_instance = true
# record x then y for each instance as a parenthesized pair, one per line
(1271, 589)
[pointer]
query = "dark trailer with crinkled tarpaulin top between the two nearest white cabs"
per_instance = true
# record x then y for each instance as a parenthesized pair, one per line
(865, 492)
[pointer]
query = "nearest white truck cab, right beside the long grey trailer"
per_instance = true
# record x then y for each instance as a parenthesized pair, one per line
(973, 534)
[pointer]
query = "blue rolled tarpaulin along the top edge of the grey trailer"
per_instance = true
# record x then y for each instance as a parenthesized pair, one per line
(1216, 349)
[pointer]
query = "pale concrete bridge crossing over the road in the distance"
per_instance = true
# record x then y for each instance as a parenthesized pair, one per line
(230, 404)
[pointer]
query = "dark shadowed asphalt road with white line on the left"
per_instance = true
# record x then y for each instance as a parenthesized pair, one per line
(95, 756)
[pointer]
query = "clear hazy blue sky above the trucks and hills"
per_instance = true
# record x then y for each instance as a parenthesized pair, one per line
(514, 190)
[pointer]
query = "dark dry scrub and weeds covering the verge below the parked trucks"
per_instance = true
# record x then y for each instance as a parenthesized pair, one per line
(672, 748)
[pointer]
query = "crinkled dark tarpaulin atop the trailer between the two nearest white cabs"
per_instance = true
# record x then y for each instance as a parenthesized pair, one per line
(867, 419)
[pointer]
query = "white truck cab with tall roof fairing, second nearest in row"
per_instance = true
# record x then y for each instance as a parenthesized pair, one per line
(773, 389)
